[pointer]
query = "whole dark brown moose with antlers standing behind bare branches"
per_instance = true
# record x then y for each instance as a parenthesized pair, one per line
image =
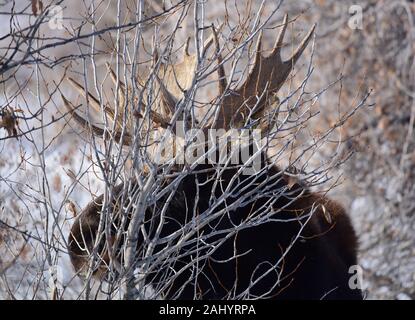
(218, 233)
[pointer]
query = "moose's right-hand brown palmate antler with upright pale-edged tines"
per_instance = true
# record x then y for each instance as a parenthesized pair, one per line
(264, 80)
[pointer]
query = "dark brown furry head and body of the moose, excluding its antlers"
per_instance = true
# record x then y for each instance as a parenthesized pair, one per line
(316, 266)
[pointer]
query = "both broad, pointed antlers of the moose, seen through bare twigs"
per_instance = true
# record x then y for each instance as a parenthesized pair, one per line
(250, 100)
